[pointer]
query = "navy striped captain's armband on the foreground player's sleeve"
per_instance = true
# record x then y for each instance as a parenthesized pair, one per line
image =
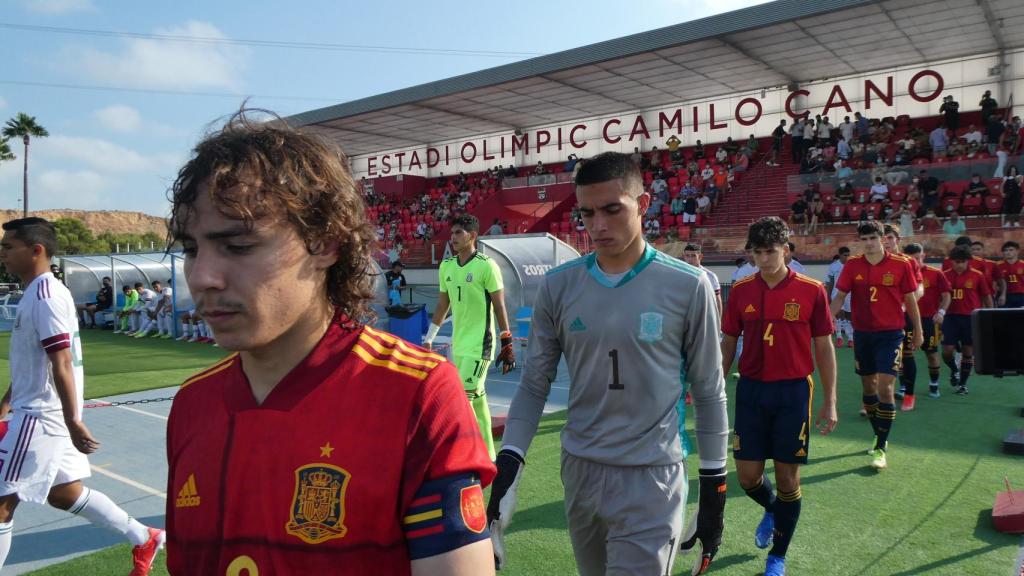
(446, 514)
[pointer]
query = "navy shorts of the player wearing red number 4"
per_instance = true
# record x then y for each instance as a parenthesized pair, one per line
(774, 421)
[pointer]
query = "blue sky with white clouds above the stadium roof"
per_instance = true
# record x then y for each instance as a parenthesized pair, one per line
(124, 110)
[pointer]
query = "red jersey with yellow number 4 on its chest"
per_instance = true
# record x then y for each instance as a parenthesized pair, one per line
(778, 325)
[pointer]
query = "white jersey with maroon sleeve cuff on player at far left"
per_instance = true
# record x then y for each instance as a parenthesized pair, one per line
(47, 322)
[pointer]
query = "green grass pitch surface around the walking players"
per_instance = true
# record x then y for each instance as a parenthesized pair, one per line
(930, 514)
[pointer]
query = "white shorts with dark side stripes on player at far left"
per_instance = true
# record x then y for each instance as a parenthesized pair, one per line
(33, 459)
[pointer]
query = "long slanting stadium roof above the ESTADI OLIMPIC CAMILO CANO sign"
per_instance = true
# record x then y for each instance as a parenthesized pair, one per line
(765, 47)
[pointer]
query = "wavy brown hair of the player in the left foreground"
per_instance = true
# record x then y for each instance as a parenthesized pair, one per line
(300, 177)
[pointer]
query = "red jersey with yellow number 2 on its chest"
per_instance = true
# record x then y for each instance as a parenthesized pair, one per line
(877, 292)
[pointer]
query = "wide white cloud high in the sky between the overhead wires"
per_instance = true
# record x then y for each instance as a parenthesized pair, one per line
(165, 64)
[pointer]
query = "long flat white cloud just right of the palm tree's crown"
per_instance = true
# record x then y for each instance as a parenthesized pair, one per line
(106, 156)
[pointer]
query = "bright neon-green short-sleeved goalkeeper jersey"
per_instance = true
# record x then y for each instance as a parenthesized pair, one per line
(470, 287)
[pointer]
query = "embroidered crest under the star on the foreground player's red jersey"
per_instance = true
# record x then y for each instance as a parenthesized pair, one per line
(319, 505)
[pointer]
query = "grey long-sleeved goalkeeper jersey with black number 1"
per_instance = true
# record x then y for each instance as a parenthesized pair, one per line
(632, 350)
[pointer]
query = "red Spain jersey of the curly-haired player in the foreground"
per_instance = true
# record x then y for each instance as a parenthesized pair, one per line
(327, 475)
